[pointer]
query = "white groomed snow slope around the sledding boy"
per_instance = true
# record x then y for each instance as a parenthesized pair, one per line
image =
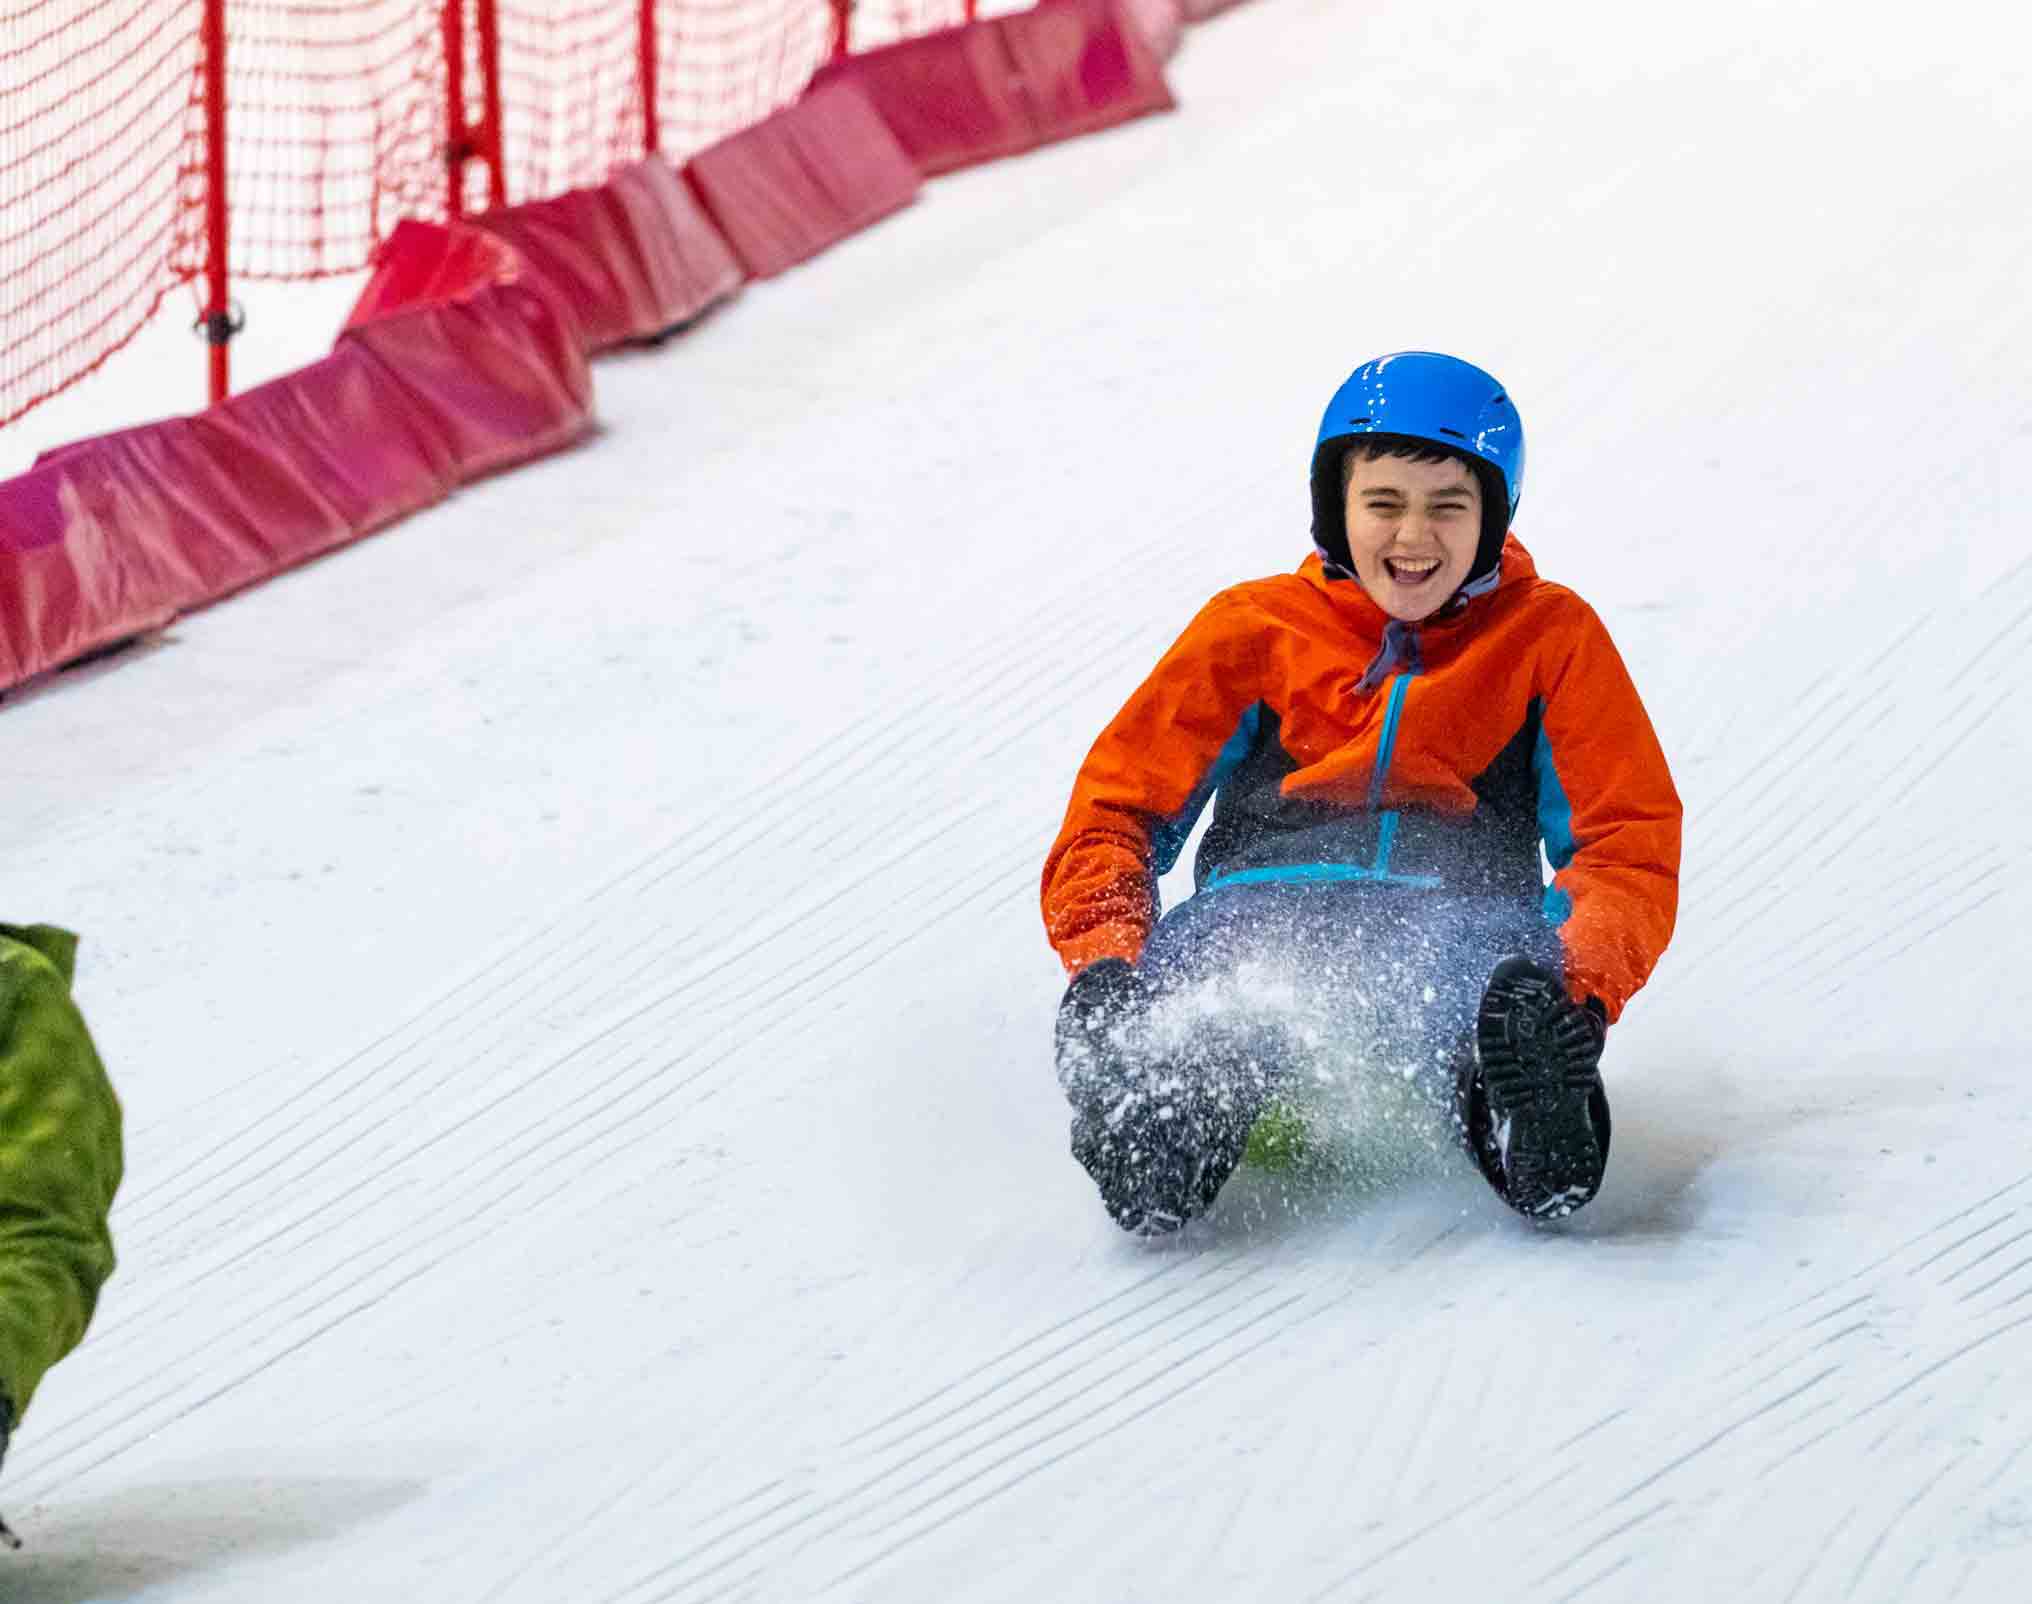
(576, 981)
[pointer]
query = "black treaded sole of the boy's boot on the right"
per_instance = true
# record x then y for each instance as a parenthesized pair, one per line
(1539, 1083)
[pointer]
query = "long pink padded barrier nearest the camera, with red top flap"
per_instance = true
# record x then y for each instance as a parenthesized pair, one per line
(113, 538)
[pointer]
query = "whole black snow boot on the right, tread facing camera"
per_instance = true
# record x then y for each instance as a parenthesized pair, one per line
(1531, 1105)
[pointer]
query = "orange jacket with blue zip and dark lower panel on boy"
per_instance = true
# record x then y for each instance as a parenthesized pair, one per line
(1344, 745)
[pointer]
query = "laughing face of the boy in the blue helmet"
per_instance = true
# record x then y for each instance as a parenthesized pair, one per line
(1413, 530)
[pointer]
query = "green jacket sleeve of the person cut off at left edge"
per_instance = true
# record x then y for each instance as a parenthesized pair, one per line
(60, 1162)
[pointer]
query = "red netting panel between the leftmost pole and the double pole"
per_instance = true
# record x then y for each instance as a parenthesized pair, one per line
(334, 131)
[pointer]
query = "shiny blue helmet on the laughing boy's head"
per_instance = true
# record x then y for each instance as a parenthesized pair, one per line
(1434, 399)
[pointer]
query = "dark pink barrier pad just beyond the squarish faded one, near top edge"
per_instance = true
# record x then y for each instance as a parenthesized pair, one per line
(1011, 84)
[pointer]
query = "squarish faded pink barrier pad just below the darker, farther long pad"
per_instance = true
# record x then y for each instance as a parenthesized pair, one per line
(804, 180)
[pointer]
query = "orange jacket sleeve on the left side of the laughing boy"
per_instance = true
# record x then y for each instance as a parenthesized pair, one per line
(1145, 786)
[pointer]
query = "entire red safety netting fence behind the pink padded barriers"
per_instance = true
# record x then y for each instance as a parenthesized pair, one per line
(338, 125)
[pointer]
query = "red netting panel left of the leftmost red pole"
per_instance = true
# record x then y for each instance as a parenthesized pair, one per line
(97, 111)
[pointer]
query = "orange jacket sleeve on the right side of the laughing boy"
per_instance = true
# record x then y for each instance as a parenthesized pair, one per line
(1610, 820)
